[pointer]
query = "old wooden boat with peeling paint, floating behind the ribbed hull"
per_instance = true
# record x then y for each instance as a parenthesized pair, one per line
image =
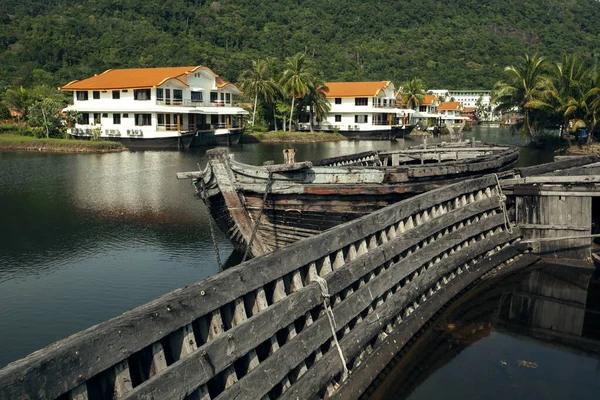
(301, 199)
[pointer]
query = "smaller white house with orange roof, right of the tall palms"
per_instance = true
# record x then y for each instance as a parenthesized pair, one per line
(364, 110)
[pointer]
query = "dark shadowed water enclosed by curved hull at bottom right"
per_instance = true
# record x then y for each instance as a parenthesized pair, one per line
(532, 335)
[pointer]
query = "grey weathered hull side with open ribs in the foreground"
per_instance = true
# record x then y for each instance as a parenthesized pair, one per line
(316, 319)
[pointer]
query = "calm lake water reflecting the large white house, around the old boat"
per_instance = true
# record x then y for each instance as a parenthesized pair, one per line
(86, 237)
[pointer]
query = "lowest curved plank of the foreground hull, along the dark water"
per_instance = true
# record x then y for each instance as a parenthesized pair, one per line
(366, 373)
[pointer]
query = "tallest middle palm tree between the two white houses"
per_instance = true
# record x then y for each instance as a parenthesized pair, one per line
(296, 78)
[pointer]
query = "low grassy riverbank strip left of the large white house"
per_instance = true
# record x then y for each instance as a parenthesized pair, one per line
(12, 142)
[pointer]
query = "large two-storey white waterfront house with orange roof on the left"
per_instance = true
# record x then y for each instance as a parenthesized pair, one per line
(157, 107)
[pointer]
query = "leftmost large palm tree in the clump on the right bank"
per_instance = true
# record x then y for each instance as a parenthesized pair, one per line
(527, 90)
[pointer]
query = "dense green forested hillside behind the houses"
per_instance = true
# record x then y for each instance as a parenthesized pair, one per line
(448, 43)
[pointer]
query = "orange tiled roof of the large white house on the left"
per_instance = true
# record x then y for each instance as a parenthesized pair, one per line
(133, 78)
